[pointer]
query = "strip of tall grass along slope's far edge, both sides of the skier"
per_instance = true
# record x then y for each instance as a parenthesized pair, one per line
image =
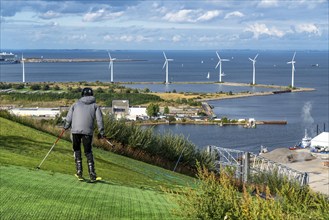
(134, 141)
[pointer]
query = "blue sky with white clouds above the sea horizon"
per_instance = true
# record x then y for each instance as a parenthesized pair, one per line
(194, 24)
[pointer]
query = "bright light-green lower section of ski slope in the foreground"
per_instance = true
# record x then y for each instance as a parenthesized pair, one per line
(30, 194)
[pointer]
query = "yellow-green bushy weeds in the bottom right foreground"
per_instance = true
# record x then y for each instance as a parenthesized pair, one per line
(222, 197)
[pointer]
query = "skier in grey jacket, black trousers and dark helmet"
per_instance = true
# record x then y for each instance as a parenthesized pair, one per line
(80, 119)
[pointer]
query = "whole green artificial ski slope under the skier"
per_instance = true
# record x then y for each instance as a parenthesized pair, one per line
(130, 190)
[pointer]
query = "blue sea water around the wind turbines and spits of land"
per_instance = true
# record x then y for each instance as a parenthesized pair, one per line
(301, 110)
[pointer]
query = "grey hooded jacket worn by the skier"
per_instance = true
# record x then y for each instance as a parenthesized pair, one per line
(81, 116)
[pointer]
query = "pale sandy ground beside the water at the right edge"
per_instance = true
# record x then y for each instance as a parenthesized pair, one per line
(302, 160)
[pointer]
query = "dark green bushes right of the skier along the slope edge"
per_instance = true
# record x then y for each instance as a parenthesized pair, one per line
(167, 146)
